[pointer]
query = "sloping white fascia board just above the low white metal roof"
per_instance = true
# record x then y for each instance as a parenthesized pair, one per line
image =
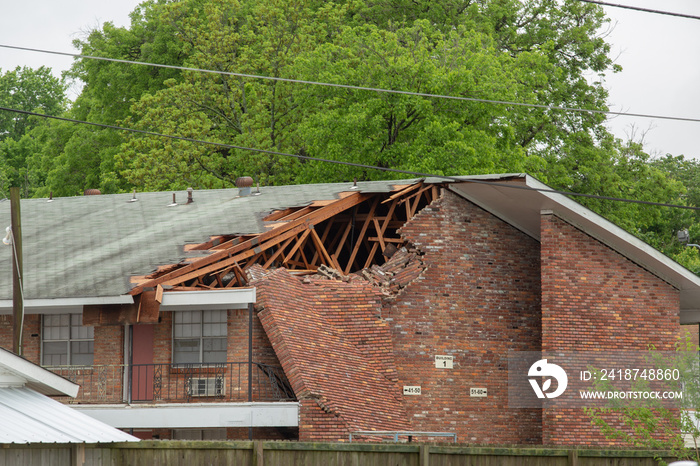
(37, 378)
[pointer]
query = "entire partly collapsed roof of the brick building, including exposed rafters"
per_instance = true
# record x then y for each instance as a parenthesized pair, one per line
(109, 249)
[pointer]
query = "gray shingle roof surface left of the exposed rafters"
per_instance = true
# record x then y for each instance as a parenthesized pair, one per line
(89, 246)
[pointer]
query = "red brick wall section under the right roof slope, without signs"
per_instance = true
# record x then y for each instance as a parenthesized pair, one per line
(594, 299)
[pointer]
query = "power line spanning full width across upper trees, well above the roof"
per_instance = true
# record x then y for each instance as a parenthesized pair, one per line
(361, 88)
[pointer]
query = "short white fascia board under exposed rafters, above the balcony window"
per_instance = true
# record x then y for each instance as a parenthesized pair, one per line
(234, 298)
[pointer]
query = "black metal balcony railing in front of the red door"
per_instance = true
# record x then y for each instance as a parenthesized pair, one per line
(177, 383)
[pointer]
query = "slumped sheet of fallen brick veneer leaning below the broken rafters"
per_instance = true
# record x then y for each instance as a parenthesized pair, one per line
(336, 353)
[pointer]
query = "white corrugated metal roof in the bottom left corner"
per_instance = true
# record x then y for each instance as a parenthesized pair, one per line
(30, 417)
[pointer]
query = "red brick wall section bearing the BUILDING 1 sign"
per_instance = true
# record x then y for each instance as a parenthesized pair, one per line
(478, 298)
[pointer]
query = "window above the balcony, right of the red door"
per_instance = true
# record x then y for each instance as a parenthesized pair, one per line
(199, 337)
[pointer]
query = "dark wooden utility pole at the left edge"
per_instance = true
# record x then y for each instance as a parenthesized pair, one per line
(17, 293)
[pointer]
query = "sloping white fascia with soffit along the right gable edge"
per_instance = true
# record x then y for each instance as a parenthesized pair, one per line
(617, 238)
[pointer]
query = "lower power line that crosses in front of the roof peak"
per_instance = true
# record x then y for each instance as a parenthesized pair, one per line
(349, 164)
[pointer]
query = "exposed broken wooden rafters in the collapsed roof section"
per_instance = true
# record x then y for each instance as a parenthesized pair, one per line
(347, 234)
